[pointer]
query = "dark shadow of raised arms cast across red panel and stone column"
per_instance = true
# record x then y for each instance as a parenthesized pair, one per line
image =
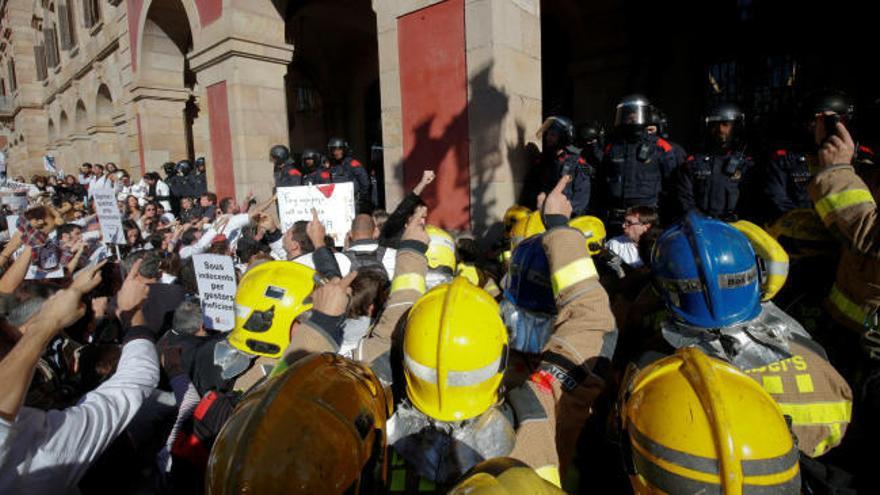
(466, 154)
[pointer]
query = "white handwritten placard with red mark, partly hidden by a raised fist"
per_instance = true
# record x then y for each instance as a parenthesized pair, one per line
(333, 202)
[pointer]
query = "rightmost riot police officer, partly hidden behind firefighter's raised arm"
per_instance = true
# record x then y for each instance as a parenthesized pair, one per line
(789, 171)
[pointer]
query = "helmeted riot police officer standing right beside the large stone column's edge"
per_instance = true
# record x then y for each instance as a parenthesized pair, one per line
(561, 158)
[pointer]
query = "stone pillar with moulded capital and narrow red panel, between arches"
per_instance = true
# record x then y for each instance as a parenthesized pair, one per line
(247, 107)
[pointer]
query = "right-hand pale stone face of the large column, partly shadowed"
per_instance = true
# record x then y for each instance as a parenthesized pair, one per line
(503, 39)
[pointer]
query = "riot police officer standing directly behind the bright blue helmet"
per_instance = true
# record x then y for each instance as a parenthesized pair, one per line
(712, 180)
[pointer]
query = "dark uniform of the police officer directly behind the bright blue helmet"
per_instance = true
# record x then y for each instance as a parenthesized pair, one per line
(713, 183)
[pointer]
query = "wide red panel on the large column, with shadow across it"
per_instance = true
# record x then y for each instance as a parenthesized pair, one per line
(433, 87)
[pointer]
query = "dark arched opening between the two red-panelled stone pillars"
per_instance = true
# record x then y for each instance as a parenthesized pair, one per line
(332, 81)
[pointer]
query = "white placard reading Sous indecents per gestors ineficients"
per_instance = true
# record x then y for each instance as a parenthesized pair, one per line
(215, 276)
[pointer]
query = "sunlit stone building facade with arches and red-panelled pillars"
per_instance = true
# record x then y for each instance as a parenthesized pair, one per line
(452, 85)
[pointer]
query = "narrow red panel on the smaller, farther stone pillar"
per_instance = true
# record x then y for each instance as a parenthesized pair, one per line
(221, 140)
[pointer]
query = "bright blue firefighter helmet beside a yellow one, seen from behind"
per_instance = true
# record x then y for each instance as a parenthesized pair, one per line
(707, 272)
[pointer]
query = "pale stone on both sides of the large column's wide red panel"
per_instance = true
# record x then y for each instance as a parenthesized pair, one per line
(503, 58)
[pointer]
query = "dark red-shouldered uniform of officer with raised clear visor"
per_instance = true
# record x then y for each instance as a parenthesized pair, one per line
(633, 173)
